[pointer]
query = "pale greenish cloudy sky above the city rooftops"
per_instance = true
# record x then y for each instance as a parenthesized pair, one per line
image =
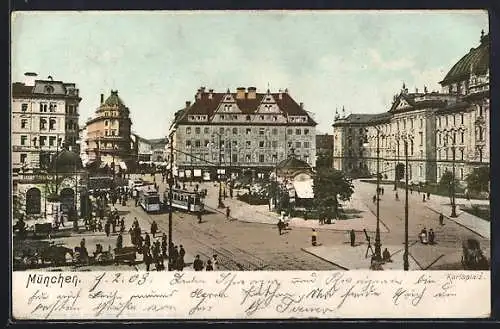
(326, 59)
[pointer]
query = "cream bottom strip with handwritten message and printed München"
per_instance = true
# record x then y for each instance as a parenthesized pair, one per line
(129, 295)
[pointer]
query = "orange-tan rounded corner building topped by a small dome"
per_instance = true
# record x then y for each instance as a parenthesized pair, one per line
(108, 135)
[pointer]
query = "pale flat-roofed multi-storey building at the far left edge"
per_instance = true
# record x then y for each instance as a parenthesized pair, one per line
(44, 118)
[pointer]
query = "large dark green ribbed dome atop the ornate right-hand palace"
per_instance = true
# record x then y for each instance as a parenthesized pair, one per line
(476, 61)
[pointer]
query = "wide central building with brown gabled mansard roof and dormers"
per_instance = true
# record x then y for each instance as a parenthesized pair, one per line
(231, 132)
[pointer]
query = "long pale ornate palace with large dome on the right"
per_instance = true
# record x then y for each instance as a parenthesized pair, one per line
(442, 129)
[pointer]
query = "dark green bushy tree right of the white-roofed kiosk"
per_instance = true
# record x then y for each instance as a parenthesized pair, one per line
(330, 186)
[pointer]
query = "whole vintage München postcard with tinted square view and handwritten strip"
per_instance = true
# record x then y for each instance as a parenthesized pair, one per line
(309, 164)
